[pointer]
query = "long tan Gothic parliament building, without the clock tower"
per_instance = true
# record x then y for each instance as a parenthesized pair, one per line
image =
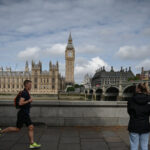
(43, 82)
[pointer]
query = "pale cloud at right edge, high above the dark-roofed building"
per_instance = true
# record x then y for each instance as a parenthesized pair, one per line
(133, 52)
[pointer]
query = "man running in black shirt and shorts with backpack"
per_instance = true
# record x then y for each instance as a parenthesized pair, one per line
(23, 103)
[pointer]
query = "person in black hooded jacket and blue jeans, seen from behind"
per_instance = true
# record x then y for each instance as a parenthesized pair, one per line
(139, 112)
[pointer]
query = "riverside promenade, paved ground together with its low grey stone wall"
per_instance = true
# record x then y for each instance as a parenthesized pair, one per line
(64, 125)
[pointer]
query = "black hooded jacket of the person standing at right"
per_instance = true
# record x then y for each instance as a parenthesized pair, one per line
(139, 111)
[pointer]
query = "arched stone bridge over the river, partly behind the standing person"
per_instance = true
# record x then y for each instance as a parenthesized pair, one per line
(113, 92)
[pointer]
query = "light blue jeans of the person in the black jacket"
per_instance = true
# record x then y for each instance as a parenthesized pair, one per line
(139, 139)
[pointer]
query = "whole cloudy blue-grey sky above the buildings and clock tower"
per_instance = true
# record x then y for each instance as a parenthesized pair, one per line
(104, 32)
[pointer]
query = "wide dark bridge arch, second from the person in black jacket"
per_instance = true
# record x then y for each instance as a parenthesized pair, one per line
(111, 93)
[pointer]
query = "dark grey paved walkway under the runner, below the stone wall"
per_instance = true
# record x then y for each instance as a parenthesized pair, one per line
(69, 138)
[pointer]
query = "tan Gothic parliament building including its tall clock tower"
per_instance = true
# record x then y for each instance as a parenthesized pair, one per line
(43, 82)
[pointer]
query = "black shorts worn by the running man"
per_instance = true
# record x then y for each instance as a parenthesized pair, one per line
(23, 118)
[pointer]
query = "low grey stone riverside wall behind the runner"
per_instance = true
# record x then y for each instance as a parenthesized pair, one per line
(69, 113)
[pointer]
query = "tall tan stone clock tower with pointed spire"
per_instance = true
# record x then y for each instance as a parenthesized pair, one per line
(70, 58)
